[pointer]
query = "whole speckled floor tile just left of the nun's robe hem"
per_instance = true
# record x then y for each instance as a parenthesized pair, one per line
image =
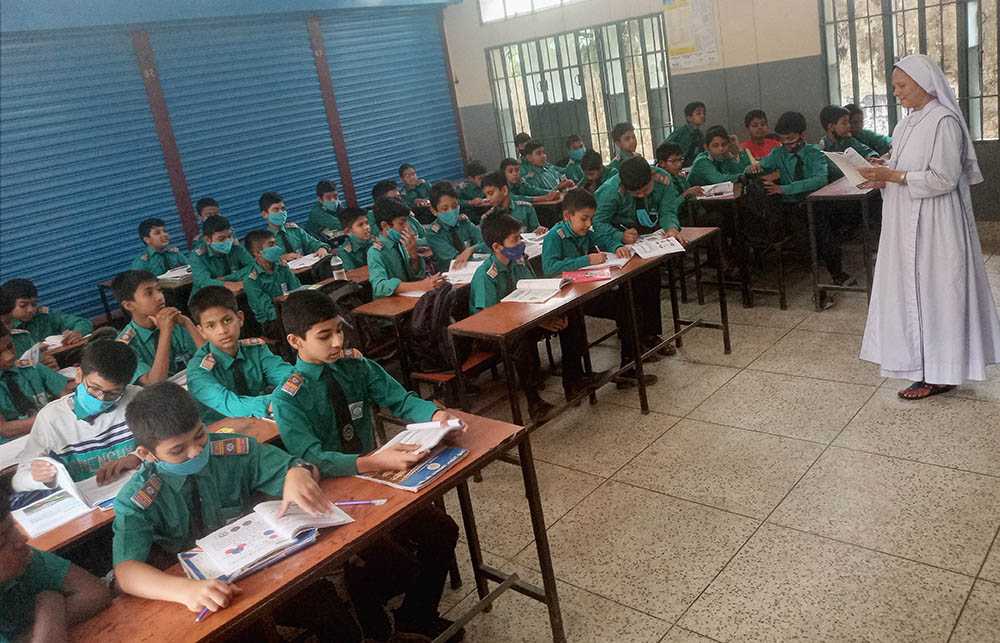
(798, 407)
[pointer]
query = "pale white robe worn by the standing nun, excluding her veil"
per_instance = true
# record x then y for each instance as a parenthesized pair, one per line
(932, 315)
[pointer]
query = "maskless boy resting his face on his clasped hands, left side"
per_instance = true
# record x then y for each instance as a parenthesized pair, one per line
(161, 337)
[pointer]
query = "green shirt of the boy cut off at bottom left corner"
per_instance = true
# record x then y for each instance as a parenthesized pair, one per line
(45, 571)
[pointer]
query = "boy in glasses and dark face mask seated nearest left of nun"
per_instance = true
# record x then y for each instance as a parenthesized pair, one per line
(803, 170)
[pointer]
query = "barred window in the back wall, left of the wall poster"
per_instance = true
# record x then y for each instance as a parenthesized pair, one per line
(584, 82)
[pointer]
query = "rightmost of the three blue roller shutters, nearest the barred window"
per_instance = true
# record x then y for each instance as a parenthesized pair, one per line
(393, 98)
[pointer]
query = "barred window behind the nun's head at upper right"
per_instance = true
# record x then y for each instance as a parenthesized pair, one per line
(864, 38)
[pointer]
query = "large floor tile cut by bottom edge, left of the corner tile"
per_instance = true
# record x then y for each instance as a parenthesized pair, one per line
(786, 585)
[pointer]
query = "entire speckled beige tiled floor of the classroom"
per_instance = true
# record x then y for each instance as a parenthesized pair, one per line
(780, 493)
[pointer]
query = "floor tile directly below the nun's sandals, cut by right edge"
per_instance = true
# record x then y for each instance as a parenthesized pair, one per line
(952, 432)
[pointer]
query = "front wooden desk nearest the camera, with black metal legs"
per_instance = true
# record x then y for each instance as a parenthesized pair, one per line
(134, 619)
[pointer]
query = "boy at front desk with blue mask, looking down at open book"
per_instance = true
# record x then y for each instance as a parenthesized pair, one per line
(193, 482)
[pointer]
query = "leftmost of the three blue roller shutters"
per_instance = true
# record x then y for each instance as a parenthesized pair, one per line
(80, 163)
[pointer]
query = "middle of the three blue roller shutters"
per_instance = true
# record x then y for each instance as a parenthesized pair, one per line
(245, 104)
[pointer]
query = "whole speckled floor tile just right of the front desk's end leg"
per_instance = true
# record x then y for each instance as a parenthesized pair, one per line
(643, 549)
